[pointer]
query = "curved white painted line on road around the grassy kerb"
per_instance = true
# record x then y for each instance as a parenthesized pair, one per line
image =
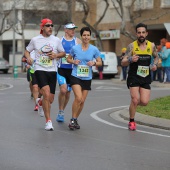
(94, 116)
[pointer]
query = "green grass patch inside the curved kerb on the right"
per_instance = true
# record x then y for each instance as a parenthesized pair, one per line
(159, 107)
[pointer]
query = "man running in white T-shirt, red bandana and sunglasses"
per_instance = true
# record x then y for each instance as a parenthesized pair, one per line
(48, 49)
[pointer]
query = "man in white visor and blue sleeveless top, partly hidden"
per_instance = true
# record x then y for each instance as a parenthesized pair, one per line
(65, 69)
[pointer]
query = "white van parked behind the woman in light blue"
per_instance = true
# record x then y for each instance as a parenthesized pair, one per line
(110, 64)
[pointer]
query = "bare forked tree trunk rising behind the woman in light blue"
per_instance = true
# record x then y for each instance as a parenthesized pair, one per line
(86, 10)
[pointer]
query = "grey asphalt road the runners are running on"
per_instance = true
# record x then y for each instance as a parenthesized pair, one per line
(102, 143)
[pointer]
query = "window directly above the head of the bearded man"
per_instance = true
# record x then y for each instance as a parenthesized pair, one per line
(143, 4)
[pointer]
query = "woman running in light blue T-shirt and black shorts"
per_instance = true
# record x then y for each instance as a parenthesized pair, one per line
(83, 57)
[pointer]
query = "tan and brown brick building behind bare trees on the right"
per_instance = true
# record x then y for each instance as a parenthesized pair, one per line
(154, 13)
